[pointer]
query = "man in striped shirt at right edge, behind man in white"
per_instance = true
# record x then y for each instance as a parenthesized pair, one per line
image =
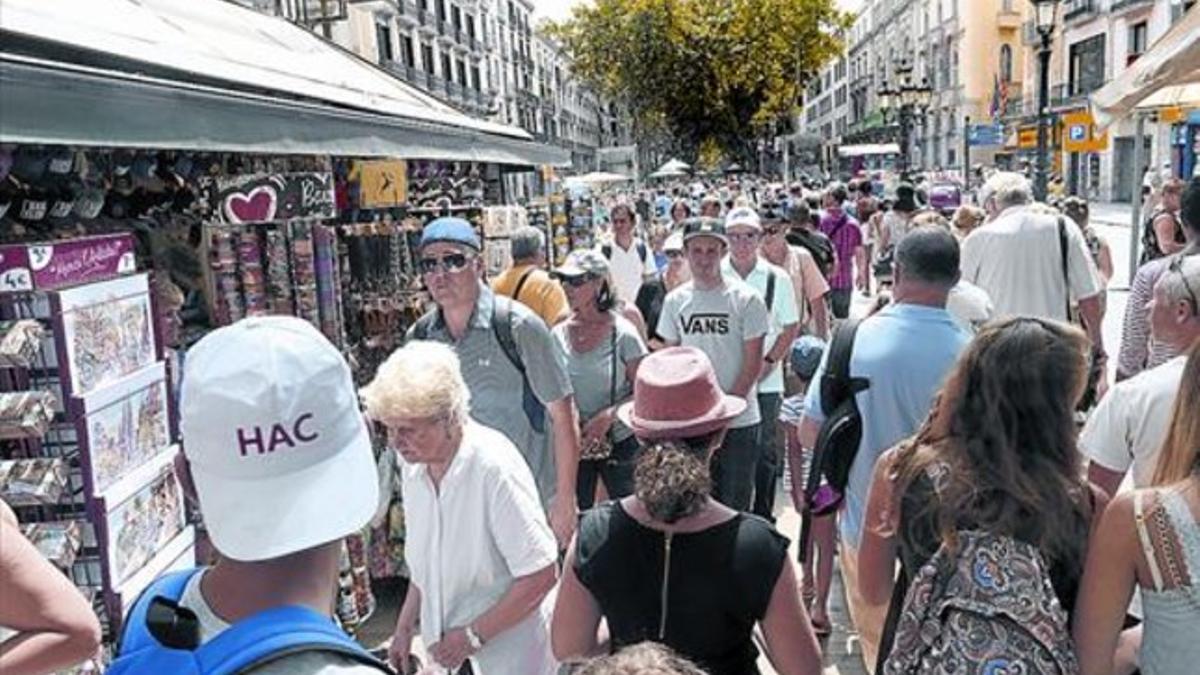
(1139, 351)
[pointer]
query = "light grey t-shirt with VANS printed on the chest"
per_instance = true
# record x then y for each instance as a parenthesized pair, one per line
(718, 322)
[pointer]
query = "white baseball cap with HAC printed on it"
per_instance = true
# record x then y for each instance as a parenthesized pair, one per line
(279, 450)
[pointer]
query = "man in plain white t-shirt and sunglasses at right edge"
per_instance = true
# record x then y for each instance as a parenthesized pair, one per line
(1131, 423)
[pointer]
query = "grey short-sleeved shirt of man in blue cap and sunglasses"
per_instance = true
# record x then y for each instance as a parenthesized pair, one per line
(496, 385)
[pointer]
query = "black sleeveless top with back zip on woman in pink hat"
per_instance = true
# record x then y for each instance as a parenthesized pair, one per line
(698, 593)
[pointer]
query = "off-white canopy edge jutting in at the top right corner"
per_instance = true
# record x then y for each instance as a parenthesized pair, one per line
(1167, 75)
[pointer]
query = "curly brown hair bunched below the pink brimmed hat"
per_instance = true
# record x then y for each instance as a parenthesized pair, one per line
(673, 480)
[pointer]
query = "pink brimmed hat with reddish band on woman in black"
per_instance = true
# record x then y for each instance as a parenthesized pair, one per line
(676, 396)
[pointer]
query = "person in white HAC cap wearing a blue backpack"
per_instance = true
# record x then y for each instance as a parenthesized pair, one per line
(280, 457)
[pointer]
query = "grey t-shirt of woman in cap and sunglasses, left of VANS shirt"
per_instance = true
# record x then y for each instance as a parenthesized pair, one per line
(592, 373)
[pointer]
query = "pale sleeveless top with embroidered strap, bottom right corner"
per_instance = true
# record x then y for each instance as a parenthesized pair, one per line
(1171, 541)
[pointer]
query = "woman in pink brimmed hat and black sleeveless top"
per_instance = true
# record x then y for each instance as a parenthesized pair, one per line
(671, 564)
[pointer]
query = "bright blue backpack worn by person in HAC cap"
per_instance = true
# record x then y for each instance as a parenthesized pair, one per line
(163, 637)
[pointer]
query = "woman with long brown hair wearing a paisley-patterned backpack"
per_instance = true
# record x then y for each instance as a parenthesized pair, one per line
(987, 511)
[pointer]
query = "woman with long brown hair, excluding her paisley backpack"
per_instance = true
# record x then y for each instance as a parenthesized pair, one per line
(999, 456)
